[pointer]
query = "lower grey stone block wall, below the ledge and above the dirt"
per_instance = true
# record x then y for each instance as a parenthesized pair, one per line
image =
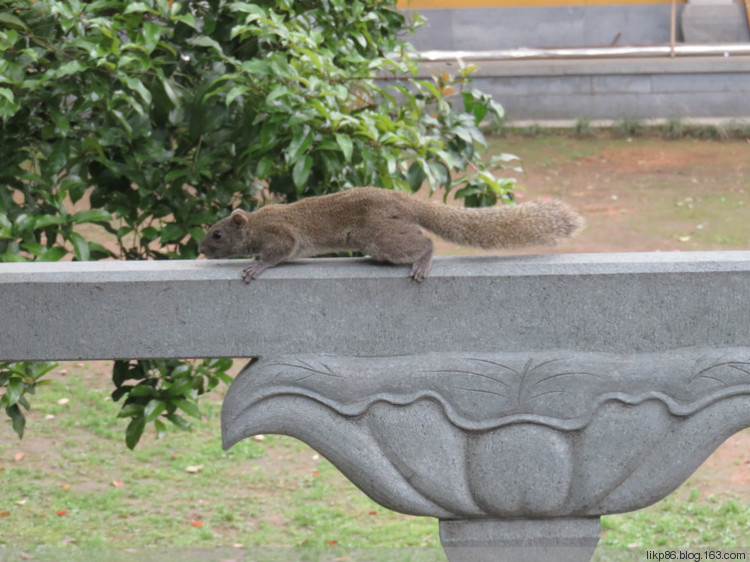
(694, 87)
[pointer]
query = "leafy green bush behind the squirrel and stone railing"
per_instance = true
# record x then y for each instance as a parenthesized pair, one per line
(166, 114)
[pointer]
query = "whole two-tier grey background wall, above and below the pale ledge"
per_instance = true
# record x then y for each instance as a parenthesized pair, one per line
(694, 86)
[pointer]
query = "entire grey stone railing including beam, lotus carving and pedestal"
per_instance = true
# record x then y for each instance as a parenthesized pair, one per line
(516, 398)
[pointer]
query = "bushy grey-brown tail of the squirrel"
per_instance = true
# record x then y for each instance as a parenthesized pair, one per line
(506, 226)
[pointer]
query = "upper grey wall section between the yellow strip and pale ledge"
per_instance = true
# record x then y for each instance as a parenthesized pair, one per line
(509, 27)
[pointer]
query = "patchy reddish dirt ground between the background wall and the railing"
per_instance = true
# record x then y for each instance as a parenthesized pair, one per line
(645, 194)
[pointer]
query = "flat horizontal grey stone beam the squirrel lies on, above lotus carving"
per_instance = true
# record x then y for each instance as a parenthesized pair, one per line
(634, 302)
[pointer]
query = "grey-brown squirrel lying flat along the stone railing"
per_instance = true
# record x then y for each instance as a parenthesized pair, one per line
(387, 225)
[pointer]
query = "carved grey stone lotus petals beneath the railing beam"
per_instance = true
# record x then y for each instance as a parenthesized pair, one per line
(502, 435)
